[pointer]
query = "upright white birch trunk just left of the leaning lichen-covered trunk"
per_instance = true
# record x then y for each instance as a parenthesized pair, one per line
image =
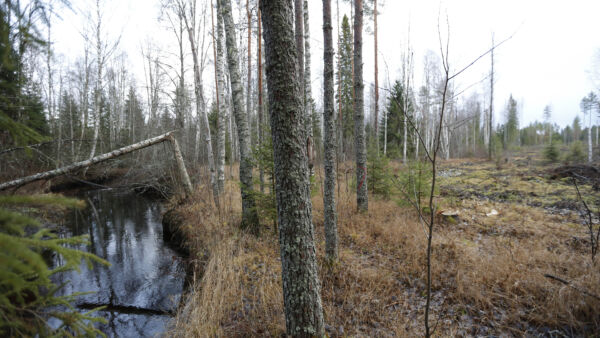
(218, 51)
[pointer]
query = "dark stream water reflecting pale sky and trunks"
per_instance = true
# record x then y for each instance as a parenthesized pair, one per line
(143, 285)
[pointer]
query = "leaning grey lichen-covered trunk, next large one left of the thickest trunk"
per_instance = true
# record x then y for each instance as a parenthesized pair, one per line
(249, 213)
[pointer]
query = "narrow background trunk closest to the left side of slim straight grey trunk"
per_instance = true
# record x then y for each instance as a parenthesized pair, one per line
(308, 91)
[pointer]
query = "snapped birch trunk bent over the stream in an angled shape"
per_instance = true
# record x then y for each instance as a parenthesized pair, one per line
(118, 152)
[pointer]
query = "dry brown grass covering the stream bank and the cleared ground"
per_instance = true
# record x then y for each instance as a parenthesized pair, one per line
(515, 224)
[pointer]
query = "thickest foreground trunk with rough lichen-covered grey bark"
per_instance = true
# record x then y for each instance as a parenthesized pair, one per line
(301, 288)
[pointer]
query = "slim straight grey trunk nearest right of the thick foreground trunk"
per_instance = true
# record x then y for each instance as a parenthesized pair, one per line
(330, 215)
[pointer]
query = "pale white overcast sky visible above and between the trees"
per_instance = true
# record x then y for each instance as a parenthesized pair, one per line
(548, 60)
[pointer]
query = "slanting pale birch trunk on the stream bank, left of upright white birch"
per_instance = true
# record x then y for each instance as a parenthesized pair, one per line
(201, 113)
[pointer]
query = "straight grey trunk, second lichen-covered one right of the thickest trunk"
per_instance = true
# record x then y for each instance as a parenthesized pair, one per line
(362, 200)
